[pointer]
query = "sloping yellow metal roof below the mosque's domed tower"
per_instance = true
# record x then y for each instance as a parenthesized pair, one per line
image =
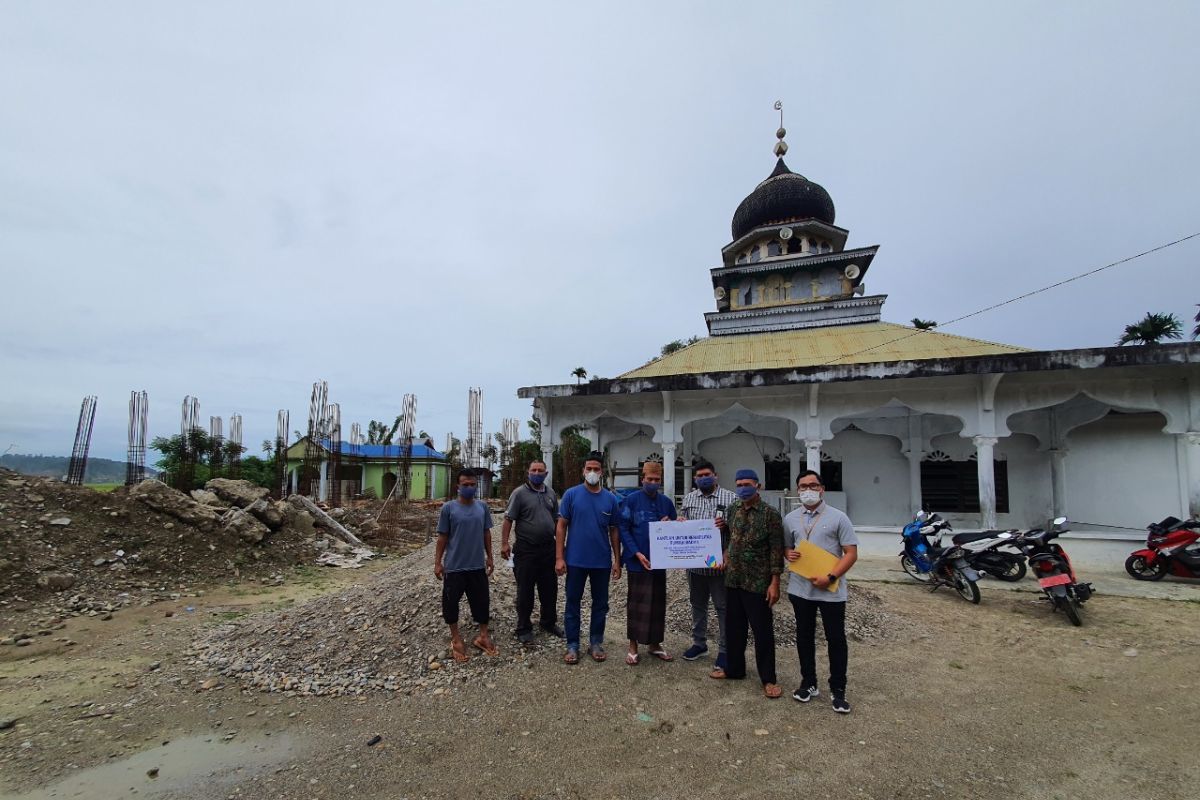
(818, 347)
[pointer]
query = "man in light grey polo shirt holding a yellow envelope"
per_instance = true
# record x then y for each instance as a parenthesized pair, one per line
(832, 532)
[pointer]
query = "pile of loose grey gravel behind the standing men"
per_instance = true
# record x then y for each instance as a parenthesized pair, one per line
(388, 635)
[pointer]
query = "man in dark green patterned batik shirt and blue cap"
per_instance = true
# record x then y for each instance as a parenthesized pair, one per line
(753, 567)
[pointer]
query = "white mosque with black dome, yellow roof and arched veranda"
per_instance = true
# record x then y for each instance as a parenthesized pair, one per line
(800, 371)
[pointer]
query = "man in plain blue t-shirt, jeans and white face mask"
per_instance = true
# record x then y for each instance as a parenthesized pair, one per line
(587, 550)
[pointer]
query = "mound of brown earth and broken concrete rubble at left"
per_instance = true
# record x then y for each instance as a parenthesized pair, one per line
(83, 550)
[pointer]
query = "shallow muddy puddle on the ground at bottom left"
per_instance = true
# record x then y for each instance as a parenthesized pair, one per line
(194, 762)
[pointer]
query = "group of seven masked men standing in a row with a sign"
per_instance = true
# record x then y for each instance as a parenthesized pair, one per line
(590, 534)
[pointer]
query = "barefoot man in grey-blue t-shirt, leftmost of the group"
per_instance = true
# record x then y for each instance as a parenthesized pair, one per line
(463, 562)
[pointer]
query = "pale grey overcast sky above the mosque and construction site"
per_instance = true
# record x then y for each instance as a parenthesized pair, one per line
(232, 201)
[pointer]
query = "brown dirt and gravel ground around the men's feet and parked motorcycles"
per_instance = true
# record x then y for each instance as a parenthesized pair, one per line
(951, 701)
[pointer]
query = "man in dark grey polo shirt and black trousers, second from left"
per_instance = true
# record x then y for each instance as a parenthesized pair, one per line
(533, 507)
